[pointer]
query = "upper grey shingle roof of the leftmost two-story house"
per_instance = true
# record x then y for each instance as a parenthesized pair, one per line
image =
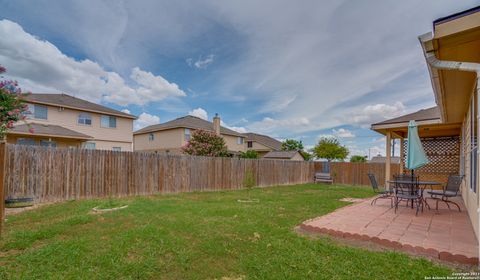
(67, 101)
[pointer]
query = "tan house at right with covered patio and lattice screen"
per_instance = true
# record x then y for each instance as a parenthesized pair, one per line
(449, 131)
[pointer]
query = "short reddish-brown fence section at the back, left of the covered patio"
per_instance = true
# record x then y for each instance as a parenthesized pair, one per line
(353, 173)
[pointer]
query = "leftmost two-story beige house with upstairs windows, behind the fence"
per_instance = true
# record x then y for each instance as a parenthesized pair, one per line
(61, 120)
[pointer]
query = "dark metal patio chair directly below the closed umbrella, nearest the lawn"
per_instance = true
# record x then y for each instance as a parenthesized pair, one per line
(408, 191)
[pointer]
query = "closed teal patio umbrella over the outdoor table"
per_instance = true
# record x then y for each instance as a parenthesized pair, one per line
(416, 157)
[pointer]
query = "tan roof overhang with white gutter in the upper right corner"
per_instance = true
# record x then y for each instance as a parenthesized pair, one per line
(455, 41)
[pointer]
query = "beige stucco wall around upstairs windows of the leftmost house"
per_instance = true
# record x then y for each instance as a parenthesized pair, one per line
(104, 138)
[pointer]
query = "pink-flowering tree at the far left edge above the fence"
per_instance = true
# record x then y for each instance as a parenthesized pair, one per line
(12, 105)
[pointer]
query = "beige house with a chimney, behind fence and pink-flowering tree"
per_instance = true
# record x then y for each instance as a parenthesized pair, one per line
(170, 136)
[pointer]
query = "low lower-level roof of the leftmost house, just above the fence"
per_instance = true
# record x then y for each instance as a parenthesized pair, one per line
(48, 130)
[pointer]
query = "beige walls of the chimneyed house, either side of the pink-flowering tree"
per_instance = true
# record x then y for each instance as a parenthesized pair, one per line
(173, 139)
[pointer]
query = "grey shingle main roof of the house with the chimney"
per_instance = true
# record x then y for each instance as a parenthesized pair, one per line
(187, 122)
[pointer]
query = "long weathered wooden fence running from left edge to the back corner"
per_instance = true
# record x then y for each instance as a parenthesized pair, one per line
(49, 174)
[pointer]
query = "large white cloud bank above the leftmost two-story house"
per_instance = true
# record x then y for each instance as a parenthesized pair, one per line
(40, 65)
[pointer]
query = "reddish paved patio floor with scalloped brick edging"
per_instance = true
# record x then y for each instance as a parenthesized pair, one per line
(444, 234)
